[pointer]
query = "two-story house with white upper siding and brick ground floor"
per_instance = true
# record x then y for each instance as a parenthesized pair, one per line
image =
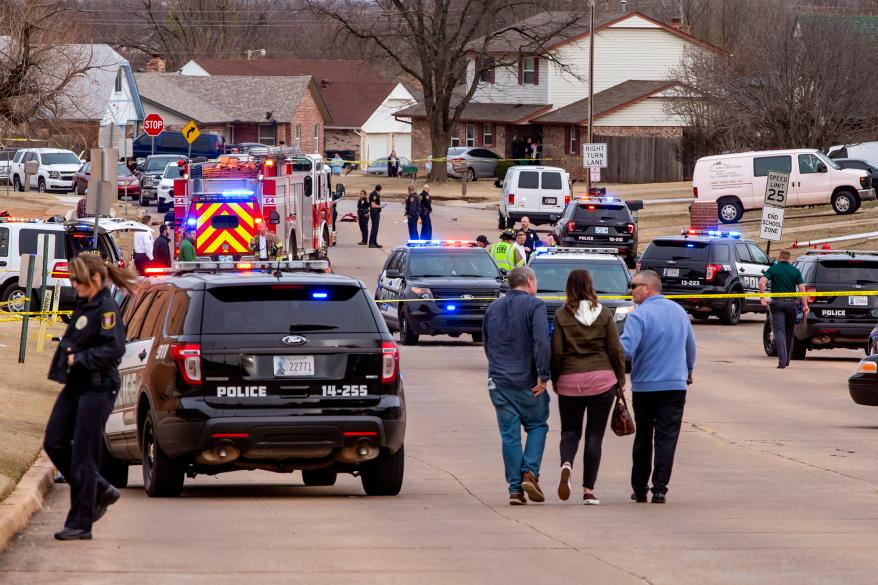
(545, 98)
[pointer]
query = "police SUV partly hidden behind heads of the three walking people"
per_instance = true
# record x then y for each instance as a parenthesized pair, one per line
(608, 272)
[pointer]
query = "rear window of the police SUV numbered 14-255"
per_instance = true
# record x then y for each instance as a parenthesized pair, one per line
(287, 308)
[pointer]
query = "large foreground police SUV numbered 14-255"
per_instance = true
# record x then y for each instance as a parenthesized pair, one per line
(269, 368)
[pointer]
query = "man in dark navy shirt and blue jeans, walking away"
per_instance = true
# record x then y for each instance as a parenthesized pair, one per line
(516, 338)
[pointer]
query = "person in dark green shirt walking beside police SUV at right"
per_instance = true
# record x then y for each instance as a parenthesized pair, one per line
(784, 278)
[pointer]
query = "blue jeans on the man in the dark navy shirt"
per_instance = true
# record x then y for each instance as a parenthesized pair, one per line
(516, 409)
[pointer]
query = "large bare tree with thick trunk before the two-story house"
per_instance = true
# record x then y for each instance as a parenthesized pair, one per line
(432, 40)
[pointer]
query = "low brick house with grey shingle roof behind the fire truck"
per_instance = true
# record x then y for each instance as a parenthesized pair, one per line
(269, 110)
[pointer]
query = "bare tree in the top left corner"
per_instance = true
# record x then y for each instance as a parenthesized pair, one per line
(37, 69)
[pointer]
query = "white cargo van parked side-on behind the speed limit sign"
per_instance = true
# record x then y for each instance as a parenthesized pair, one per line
(737, 181)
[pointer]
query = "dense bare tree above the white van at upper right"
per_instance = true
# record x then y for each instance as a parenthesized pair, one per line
(794, 84)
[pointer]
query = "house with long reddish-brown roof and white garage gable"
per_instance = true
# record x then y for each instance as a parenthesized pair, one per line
(361, 102)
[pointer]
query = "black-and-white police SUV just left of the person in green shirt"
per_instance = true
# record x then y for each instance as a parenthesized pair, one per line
(709, 262)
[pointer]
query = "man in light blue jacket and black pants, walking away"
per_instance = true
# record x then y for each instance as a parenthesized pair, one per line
(660, 343)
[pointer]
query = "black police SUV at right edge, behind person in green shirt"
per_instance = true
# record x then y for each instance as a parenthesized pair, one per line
(844, 320)
